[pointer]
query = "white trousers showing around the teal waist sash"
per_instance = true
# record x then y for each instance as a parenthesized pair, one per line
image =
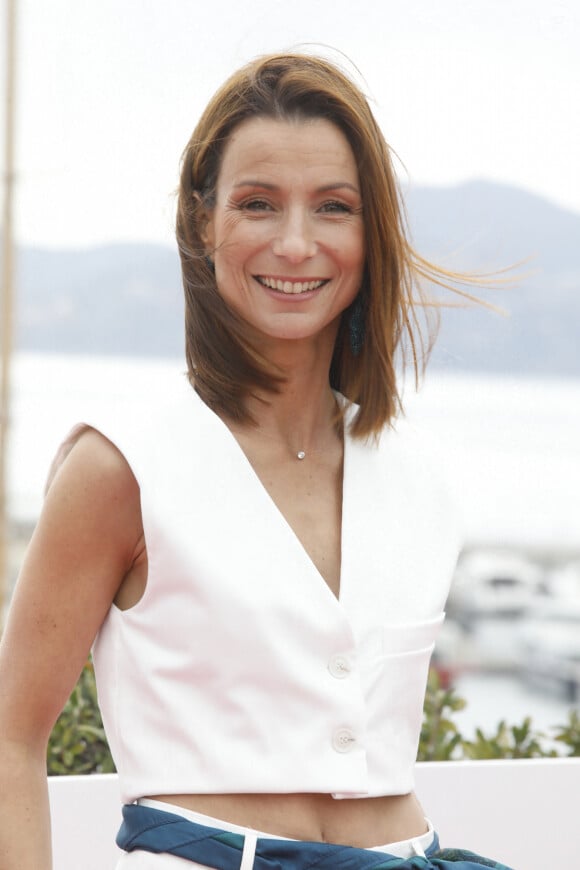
(140, 860)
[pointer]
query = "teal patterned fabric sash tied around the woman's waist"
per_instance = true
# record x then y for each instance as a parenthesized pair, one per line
(156, 831)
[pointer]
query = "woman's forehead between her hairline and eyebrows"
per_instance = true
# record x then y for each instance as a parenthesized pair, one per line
(277, 148)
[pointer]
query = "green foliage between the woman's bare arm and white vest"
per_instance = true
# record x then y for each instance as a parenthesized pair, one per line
(78, 743)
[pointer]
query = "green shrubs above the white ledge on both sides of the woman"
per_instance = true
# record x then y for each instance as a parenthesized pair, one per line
(78, 743)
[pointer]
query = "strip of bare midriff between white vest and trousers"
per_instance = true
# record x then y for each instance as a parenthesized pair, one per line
(361, 822)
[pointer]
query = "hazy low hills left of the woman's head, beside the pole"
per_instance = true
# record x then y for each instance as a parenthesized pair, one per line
(116, 299)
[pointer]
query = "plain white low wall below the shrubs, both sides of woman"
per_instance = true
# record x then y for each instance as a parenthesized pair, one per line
(523, 813)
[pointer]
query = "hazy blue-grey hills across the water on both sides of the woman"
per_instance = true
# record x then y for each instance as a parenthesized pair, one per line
(127, 299)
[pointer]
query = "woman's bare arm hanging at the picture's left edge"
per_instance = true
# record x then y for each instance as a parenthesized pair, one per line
(88, 538)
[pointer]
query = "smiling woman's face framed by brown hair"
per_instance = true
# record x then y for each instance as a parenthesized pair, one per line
(286, 232)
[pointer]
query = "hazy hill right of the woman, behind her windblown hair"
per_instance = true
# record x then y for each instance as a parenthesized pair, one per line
(486, 226)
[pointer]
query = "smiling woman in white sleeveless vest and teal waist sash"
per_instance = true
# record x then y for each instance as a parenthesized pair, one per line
(264, 619)
